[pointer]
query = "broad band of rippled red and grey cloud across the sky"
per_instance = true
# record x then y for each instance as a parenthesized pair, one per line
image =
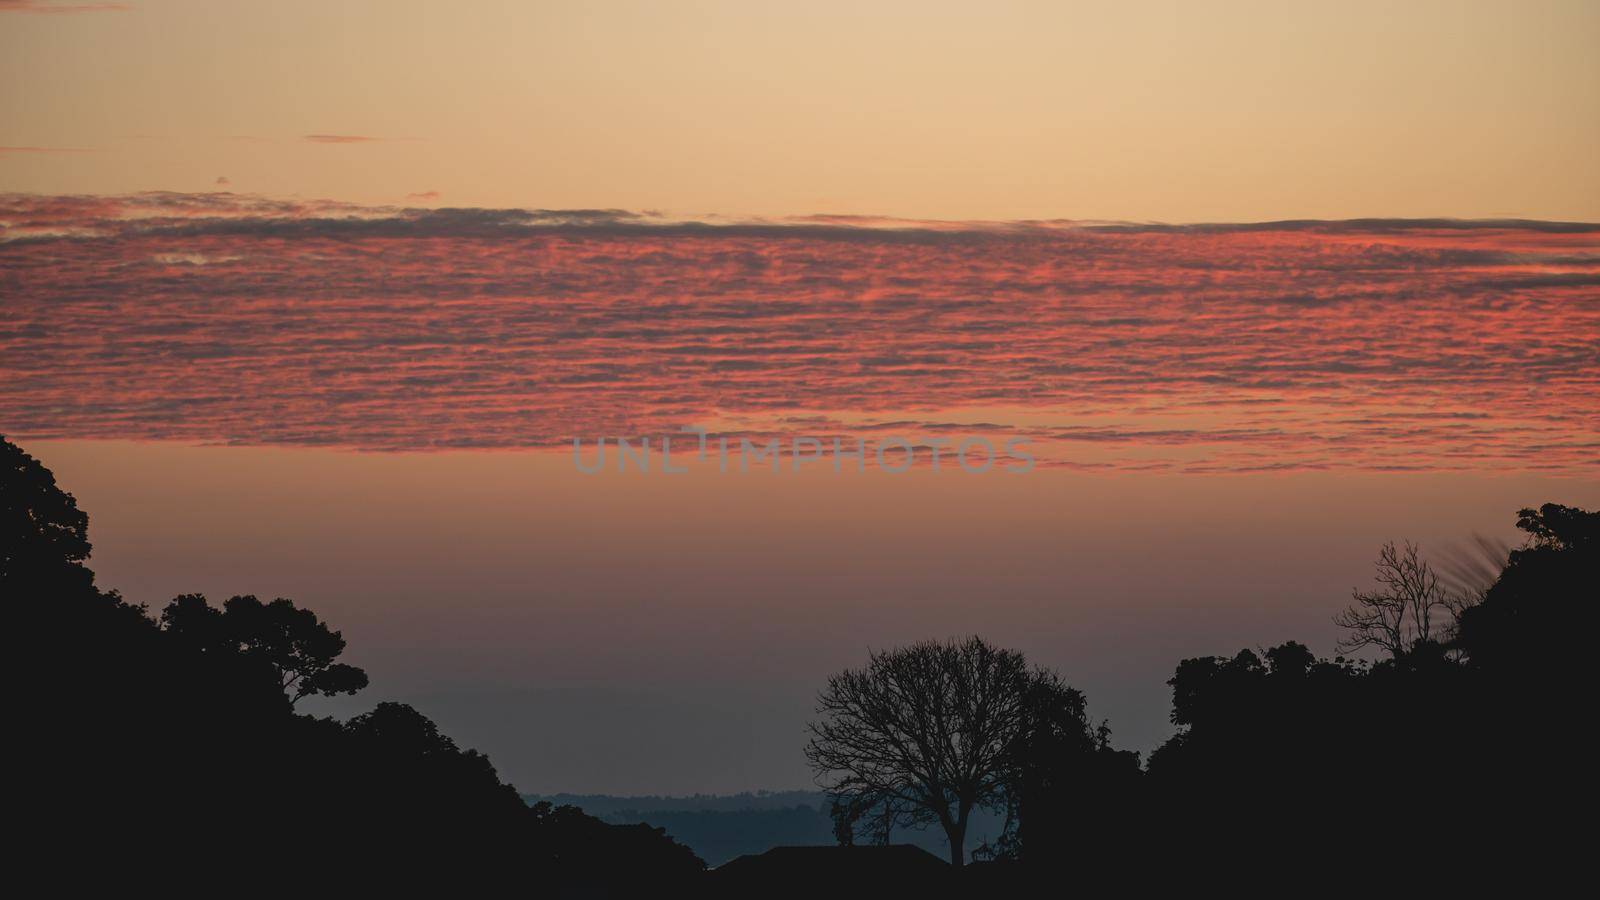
(1380, 347)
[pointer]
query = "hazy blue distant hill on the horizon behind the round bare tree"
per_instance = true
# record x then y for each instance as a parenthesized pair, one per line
(724, 827)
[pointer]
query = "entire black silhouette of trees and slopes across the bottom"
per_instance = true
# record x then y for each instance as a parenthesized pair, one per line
(174, 736)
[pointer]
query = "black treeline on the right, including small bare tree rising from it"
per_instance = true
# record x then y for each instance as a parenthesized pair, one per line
(1439, 760)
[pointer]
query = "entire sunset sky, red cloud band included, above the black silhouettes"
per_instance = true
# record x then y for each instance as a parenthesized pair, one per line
(314, 300)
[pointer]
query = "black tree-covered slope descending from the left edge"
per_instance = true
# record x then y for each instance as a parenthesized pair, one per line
(150, 733)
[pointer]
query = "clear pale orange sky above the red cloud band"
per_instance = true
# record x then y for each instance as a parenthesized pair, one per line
(930, 110)
